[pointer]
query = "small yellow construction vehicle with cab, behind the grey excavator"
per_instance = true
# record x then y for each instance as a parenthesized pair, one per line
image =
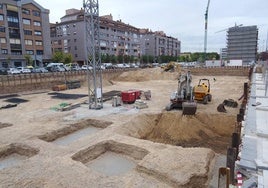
(202, 91)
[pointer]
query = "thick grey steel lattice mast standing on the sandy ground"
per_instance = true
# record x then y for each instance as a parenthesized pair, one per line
(93, 56)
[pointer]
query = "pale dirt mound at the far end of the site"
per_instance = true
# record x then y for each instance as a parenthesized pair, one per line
(146, 75)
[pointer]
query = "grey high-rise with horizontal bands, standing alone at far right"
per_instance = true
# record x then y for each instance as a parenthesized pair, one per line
(242, 43)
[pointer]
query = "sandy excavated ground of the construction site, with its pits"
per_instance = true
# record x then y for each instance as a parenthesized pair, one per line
(46, 144)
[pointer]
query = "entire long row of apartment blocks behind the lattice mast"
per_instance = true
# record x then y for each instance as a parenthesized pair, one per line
(116, 38)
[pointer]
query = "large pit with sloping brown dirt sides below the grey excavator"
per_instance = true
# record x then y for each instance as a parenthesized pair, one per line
(202, 130)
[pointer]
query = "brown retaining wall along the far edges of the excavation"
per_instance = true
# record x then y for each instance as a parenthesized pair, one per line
(44, 81)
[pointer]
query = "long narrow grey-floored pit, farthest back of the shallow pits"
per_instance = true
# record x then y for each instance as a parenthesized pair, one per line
(73, 132)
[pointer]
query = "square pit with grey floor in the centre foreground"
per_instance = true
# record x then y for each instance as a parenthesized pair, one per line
(111, 158)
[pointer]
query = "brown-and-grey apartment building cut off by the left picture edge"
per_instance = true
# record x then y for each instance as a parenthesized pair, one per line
(23, 31)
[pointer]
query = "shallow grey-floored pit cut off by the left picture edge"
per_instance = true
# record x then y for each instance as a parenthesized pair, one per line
(14, 154)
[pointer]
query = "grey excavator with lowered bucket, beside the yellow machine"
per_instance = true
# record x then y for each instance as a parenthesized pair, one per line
(183, 97)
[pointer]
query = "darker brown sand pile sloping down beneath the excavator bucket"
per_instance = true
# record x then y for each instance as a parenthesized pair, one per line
(202, 130)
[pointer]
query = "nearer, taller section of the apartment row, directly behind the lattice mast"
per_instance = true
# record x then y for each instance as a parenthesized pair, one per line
(116, 37)
